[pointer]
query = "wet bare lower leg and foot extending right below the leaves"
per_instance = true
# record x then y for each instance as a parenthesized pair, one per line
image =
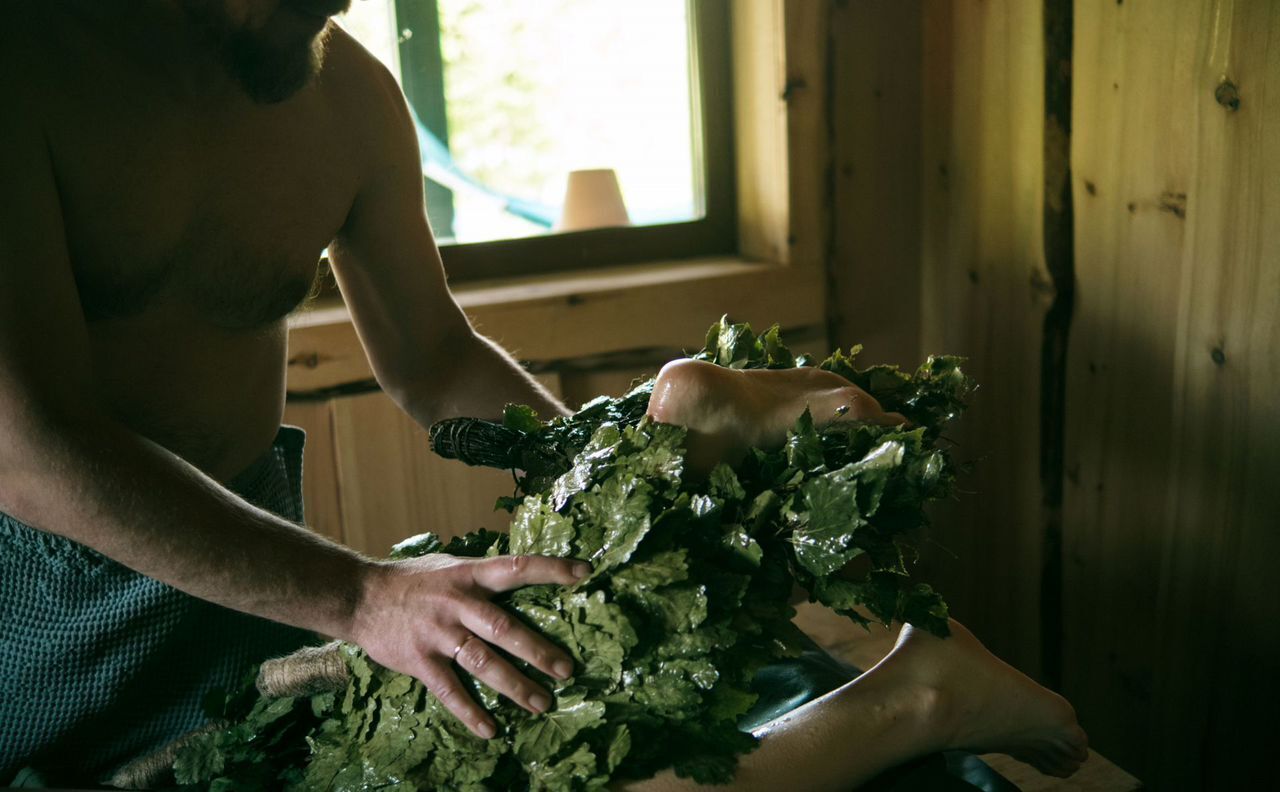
(927, 695)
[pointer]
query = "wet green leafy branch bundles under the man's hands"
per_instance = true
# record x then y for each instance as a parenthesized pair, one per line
(689, 597)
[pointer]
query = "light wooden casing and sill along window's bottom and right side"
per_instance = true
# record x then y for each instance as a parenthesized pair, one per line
(779, 274)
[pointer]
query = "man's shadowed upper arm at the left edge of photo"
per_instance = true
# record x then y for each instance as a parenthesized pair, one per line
(44, 344)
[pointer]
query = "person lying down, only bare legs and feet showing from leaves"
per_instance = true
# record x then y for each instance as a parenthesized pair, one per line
(922, 697)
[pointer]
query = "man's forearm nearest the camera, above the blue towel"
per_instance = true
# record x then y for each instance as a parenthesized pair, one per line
(103, 486)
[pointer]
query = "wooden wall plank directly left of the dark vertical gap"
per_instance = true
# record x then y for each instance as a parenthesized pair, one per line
(985, 295)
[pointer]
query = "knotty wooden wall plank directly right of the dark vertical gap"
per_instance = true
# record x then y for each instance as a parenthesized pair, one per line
(1122, 341)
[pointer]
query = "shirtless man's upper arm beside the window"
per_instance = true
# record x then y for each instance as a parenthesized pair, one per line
(386, 259)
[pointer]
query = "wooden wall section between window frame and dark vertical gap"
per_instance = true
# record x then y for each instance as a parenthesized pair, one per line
(939, 131)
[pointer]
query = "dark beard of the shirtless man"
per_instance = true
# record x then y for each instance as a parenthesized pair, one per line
(271, 68)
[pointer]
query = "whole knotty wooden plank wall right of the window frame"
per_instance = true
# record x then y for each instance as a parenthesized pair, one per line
(1168, 626)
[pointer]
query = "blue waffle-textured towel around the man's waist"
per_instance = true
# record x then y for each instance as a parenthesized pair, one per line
(99, 663)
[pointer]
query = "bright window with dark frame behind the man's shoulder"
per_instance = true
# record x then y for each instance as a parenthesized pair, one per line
(513, 97)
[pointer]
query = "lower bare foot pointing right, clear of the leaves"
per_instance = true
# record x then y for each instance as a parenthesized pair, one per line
(982, 704)
